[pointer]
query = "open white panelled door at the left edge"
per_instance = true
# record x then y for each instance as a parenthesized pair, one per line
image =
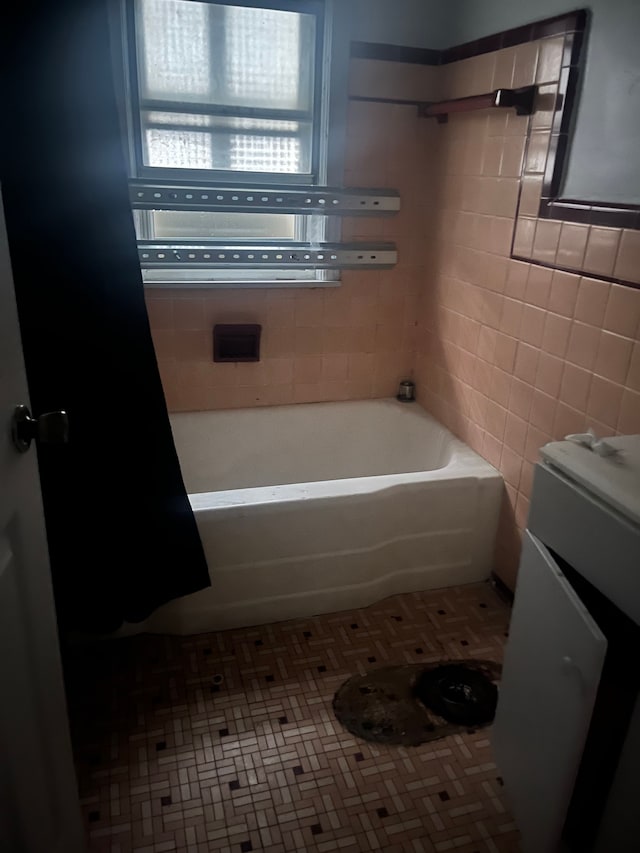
(39, 809)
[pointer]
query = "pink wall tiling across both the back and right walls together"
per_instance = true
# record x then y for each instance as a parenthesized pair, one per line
(507, 354)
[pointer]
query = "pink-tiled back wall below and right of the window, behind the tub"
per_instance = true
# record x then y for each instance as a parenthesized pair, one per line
(352, 342)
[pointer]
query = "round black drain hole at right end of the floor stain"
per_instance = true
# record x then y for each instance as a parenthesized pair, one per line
(458, 693)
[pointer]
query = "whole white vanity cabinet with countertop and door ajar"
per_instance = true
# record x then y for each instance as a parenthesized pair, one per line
(566, 736)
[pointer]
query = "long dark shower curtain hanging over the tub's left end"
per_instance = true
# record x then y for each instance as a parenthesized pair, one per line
(122, 537)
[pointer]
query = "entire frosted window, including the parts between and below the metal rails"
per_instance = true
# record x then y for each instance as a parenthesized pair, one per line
(223, 96)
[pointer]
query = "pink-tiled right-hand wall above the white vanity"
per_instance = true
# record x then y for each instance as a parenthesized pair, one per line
(511, 355)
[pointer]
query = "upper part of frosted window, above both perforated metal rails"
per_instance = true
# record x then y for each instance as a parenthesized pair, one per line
(226, 89)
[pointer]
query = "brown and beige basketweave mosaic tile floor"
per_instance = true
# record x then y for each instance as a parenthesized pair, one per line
(227, 741)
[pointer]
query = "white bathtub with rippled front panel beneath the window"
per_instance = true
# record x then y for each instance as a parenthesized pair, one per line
(319, 507)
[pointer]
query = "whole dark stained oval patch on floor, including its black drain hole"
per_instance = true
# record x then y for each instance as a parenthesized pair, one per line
(412, 704)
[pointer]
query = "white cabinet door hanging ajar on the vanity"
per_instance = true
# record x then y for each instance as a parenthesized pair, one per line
(552, 667)
